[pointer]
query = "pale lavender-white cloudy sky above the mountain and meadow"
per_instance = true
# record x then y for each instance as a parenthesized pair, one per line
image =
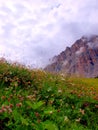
(34, 31)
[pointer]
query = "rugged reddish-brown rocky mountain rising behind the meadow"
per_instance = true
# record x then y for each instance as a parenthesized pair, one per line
(79, 59)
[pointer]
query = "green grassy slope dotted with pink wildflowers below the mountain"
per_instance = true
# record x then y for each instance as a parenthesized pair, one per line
(36, 100)
